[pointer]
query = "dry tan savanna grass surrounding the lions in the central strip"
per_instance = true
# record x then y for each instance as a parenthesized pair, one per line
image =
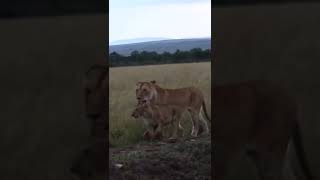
(124, 129)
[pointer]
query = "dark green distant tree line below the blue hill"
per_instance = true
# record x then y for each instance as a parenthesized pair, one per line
(145, 57)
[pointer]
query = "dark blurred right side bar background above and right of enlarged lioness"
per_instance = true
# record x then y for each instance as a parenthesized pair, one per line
(276, 42)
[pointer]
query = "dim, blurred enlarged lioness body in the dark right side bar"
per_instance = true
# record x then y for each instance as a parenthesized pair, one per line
(258, 118)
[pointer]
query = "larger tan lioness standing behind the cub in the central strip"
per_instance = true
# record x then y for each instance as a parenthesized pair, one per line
(189, 98)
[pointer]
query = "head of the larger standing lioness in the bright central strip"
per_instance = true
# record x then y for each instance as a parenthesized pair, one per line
(145, 91)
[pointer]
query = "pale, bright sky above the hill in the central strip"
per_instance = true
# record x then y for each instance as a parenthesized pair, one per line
(130, 19)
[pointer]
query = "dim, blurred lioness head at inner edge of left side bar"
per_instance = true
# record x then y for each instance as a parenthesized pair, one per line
(95, 87)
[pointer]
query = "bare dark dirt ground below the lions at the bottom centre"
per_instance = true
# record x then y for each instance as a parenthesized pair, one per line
(187, 159)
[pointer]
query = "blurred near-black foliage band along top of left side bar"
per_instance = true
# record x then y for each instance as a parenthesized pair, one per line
(25, 8)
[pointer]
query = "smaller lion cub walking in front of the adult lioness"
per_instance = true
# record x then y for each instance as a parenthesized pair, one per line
(157, 116)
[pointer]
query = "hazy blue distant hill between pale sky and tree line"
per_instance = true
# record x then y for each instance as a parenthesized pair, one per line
(162, 46)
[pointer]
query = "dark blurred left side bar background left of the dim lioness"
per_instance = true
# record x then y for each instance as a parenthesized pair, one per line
(46, 47)
